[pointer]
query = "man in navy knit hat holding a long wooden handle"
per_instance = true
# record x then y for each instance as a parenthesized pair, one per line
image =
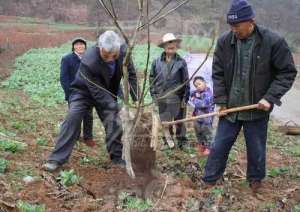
(251, 65)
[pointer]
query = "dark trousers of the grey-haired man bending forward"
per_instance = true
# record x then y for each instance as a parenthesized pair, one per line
(70, 129)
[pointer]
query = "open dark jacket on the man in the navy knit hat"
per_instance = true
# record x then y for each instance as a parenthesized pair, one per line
(273, 70)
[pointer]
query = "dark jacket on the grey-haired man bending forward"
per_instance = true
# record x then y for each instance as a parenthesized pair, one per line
(93, 81)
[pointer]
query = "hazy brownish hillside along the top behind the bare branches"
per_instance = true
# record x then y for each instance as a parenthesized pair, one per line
(282, 15)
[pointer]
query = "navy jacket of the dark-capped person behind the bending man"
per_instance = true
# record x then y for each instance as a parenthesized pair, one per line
(68, 69)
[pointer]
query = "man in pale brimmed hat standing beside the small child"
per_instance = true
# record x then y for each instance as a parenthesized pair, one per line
(168, 72)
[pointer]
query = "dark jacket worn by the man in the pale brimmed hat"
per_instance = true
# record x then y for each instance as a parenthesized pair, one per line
(161, 83)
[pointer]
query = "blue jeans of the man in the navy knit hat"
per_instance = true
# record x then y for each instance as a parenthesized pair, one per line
(255, 133)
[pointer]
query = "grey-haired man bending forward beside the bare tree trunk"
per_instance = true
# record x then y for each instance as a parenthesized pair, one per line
(96, 85)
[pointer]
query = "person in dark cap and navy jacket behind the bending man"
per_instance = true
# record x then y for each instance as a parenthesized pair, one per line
(68, 69)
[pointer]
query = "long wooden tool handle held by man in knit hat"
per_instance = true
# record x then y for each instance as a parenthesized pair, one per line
(218, 113)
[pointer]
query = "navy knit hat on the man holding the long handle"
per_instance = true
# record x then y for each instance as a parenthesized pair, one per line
(240, 11)
